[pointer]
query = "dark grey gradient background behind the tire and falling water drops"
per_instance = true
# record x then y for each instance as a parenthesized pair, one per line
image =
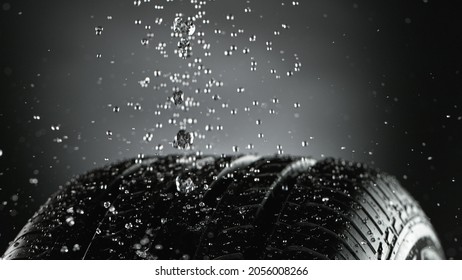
(380, 83)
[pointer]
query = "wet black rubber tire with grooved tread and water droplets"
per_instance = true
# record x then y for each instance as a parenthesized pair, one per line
(246, 207)
